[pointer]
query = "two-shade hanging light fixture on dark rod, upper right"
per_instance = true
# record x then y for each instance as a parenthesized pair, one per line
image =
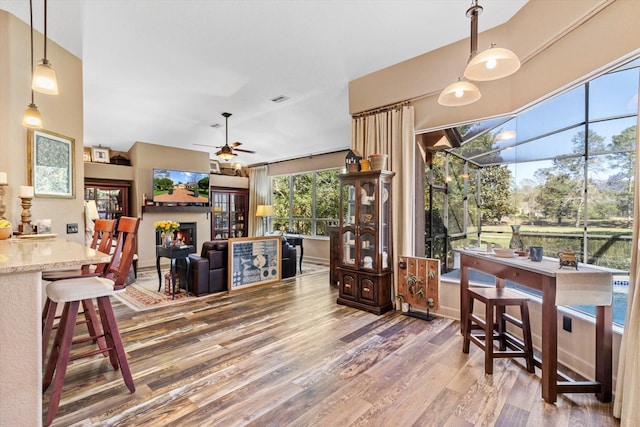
(492, 64)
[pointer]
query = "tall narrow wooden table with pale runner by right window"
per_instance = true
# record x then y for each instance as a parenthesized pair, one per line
(586, 286)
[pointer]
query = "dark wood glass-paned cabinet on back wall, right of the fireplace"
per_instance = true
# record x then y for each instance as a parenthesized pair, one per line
(230, 210)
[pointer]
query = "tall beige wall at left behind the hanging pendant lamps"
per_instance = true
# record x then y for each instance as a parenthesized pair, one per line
(61, 114)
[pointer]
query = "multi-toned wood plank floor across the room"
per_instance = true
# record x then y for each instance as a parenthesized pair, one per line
(288, 355)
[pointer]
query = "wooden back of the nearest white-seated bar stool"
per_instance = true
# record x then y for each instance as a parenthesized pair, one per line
(125, 250)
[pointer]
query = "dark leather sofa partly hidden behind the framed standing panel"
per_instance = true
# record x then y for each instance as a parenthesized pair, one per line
(209, 269)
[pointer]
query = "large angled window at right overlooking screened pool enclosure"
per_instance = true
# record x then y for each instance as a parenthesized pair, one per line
(563, 170)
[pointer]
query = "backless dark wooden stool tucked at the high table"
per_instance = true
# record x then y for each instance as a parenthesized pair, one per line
(495, 328)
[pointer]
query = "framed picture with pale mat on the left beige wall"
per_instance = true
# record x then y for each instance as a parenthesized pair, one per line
(50, 164)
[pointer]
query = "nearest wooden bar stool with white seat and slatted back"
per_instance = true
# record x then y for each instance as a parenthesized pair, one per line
(73, 292)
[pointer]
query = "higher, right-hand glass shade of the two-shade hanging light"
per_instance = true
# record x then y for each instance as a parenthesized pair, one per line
(492, 64)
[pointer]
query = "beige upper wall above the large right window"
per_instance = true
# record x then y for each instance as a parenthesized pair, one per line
(559, 43)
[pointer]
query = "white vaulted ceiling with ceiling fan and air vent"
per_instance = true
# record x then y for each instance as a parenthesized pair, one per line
(163, 71)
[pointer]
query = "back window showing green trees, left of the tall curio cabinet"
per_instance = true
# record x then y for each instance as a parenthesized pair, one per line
(306, 203)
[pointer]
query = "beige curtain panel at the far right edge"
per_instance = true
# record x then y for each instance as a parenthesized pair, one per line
(627, 393)
